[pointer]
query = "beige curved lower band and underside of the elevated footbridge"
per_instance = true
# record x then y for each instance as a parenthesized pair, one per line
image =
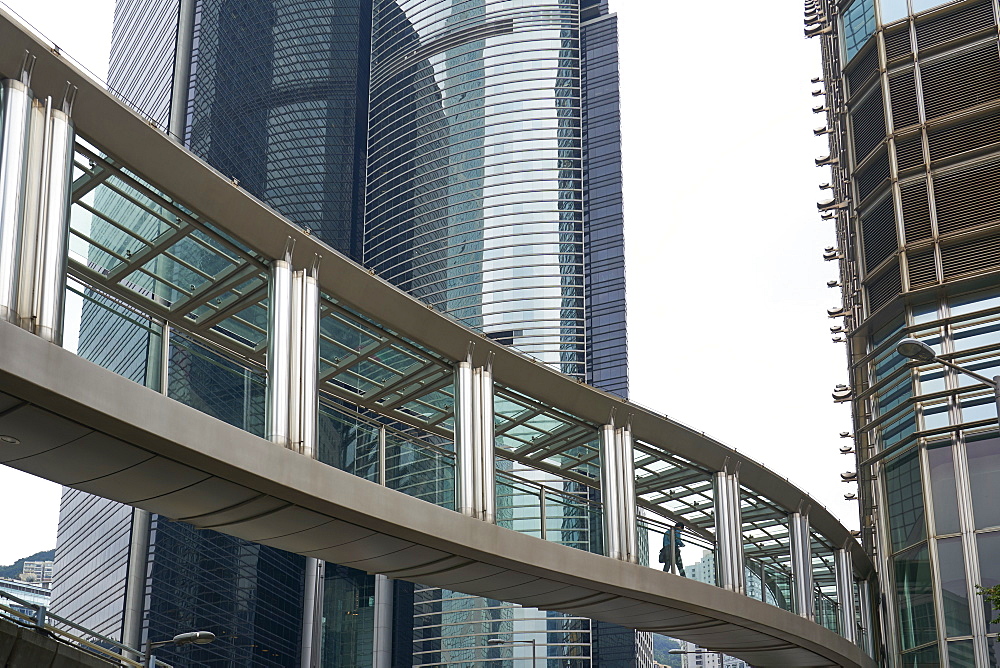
(82, 426)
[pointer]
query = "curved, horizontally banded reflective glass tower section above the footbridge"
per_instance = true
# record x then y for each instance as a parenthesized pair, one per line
(475, 174)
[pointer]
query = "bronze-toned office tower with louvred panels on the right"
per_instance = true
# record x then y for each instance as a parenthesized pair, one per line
(912, 102)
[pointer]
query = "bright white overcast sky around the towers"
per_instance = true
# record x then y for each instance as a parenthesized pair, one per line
(726, 287)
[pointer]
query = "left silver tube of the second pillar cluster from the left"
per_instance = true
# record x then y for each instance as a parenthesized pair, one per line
(279, 333)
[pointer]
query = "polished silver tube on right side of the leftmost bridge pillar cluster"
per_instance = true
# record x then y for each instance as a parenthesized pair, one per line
(53, 233)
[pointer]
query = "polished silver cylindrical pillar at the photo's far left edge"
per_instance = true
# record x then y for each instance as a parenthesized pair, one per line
(15, 123)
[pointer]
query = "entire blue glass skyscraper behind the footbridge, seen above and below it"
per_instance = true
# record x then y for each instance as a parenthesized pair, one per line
(468, 151)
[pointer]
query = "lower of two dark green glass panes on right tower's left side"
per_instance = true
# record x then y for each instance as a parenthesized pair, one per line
(914, 598)
